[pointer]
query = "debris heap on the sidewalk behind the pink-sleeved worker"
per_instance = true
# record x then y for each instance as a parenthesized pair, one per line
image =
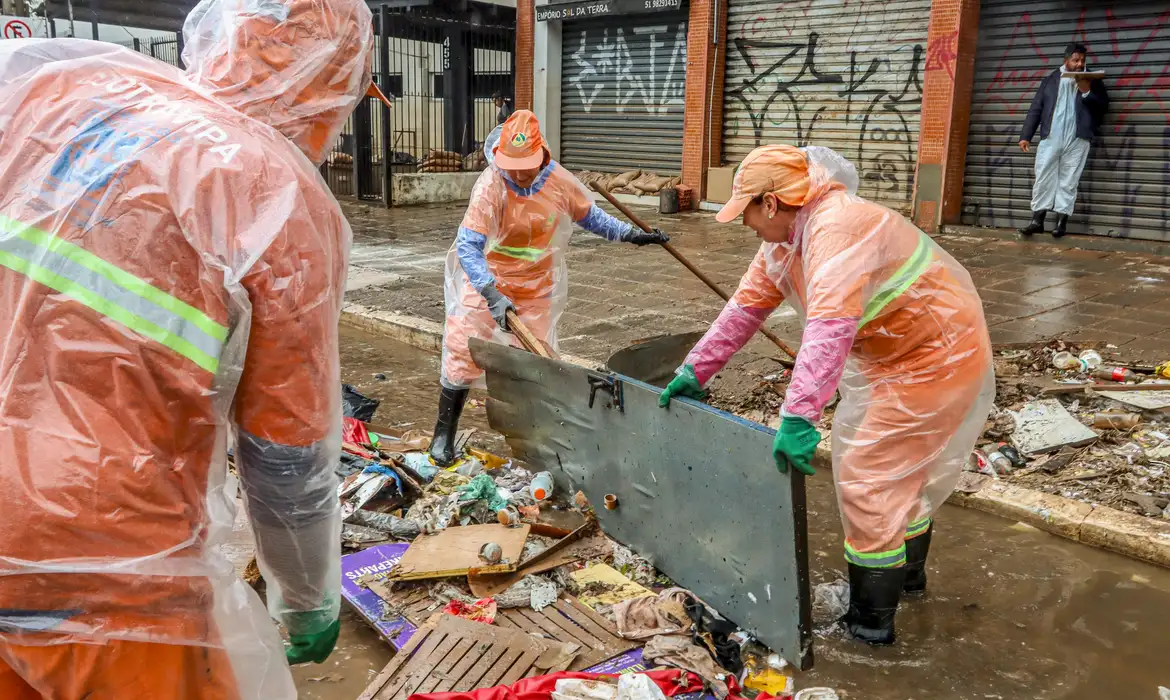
(1077, 422)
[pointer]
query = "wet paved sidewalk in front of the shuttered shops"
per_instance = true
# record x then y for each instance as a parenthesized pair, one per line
(618, 294)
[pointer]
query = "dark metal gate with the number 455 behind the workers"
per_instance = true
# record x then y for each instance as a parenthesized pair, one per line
(442, 76)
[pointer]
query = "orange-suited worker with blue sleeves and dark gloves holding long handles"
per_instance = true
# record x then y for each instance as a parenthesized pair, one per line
(511, 255)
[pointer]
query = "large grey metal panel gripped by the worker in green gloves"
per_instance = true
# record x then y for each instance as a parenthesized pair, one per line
(698, 491)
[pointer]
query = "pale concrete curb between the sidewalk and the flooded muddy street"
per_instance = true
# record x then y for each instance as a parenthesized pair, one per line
(1097, 526)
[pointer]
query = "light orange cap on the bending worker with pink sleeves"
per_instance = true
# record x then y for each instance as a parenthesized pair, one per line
(779, 169)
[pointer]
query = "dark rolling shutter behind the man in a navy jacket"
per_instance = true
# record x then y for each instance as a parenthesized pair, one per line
(1125, 190)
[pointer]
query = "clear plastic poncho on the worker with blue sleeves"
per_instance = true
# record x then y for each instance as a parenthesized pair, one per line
(514, 238)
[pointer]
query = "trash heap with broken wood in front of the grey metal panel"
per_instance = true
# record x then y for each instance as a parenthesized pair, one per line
(485, 545)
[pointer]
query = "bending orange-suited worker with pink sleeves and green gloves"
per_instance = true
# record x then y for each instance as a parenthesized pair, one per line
(893, 322)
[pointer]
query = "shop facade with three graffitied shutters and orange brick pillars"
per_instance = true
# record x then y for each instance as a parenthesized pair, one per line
(927, 98)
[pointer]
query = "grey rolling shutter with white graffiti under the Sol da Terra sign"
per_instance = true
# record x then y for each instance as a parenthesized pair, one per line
(622, 94)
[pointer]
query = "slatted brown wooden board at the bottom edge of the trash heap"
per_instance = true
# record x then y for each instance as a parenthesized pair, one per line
(460, 656)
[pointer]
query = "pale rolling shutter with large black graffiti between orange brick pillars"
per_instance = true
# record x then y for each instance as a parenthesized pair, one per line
(848, 77)
